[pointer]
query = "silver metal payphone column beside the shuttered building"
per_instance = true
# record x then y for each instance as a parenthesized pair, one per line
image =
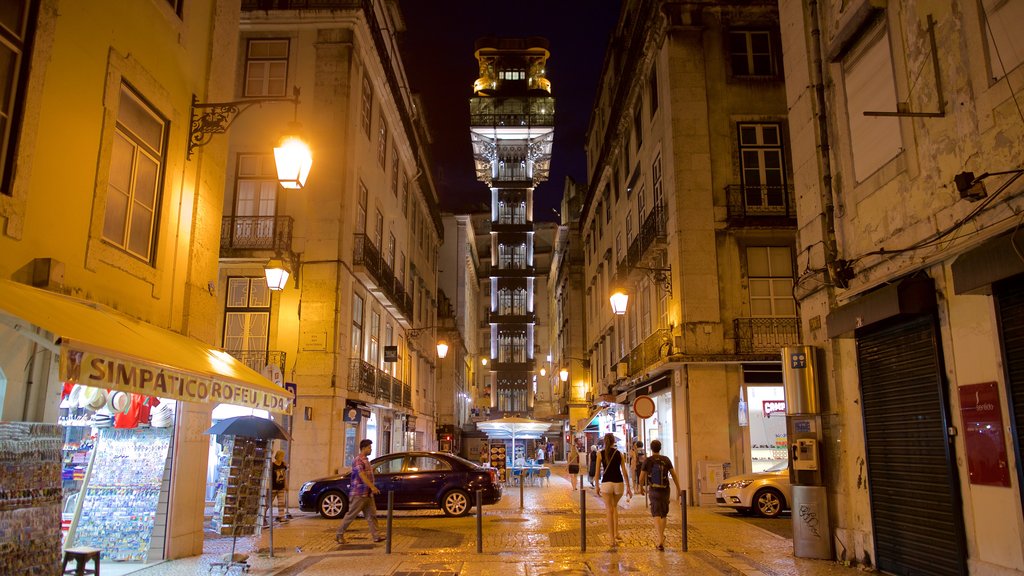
(812, 531)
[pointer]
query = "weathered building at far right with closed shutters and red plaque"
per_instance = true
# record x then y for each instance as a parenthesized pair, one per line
(908, 139)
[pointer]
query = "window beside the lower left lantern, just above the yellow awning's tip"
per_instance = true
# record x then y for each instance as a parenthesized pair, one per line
(247, 320)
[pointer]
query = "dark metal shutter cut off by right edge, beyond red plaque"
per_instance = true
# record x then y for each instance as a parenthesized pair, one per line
(1010, 306)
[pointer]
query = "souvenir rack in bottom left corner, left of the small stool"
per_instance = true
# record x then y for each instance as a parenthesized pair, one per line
(30, 499)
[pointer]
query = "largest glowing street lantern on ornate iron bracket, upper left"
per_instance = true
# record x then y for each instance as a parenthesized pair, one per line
(292, 155)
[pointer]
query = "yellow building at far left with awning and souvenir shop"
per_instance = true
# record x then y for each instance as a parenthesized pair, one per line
(122, 300)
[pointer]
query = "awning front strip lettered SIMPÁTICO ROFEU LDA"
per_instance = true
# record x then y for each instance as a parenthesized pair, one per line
(92, 369)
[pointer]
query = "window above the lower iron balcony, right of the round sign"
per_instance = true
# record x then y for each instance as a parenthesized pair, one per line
(770, 271)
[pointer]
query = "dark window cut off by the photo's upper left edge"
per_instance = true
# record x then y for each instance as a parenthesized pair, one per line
(16, 34)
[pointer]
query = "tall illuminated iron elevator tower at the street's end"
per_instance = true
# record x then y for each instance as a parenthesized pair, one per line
(513, 130)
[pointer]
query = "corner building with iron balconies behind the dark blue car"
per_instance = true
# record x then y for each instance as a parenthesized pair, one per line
(361, 239)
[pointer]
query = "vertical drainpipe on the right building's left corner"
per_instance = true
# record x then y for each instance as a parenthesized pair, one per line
(828, 205)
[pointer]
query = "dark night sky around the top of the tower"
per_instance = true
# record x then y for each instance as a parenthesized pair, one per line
(438, 50)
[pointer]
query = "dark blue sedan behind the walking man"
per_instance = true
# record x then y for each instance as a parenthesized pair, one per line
(419, 480)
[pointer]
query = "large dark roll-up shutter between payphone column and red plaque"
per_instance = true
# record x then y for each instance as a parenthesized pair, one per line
(916, 506)
